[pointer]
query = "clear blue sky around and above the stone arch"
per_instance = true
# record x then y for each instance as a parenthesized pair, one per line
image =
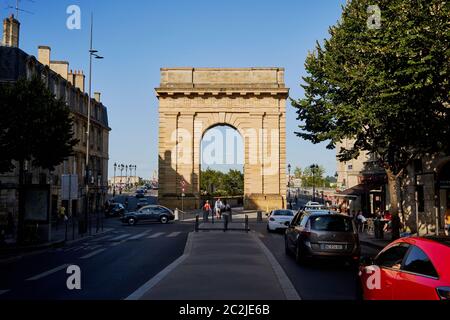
(139, 37)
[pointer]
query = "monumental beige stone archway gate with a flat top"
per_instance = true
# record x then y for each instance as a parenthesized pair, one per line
(251, 100)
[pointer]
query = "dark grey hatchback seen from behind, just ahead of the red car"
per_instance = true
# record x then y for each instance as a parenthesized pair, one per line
(323, 234)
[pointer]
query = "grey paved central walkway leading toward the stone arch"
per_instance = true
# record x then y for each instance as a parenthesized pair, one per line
(220, 266)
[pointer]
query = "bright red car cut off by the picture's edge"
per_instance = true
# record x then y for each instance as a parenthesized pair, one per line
(409, 269)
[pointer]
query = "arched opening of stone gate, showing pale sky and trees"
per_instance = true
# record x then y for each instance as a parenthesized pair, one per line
(222, 163)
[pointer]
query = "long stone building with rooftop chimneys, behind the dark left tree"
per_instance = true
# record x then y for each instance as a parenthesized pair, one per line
(70, 86)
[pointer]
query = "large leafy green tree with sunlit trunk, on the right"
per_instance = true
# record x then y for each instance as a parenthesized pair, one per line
(385, 88)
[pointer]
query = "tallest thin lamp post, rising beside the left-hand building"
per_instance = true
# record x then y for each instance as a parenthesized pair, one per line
(92, 54)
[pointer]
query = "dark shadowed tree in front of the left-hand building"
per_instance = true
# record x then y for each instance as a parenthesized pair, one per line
(35, 127)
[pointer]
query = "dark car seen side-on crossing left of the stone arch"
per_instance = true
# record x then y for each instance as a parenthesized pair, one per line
(149, 213)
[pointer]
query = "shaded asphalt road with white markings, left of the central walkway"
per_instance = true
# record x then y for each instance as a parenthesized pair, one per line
(112, 266)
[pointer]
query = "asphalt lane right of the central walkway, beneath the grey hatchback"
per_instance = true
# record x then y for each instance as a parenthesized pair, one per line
(315, 281)
